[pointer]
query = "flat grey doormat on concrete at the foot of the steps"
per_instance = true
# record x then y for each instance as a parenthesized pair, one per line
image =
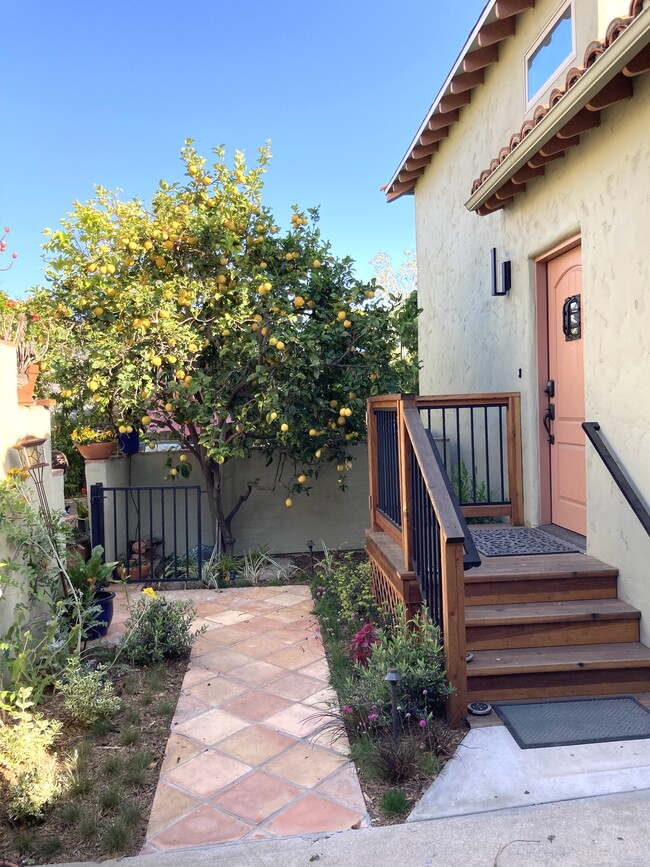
(579, 721)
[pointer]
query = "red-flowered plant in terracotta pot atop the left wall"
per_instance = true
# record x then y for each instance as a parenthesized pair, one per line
(21, 325)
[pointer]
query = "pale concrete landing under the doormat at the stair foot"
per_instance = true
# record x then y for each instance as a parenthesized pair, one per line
(490, 772)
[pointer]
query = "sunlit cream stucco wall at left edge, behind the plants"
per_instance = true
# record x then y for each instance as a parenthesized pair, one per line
(19, 421)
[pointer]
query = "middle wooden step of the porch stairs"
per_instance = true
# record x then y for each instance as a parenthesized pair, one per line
(539, 624)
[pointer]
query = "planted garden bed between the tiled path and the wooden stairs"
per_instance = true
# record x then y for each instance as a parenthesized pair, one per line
(362, 643)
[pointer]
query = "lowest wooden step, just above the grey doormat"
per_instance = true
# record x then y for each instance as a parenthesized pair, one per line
(546, 672)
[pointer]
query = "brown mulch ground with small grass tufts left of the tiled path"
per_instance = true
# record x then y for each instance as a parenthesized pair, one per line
(106, 809)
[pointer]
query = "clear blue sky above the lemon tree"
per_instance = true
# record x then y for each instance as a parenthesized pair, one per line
(107, 93)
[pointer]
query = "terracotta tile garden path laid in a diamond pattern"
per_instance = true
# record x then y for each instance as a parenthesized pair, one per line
(243, 761)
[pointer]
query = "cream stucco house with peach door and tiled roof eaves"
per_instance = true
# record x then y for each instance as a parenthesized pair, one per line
(533, 167)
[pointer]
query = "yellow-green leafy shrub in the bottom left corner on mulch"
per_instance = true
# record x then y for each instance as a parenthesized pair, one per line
(29, 772)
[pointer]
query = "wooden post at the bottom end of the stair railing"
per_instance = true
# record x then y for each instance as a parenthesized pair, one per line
(453, 618)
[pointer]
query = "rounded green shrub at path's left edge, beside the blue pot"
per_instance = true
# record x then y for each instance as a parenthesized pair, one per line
(158, 629)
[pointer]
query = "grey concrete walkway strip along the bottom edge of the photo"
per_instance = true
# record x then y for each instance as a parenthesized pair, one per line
(609, 832)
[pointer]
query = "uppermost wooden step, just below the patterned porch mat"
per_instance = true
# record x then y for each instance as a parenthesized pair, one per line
(539, 578)
